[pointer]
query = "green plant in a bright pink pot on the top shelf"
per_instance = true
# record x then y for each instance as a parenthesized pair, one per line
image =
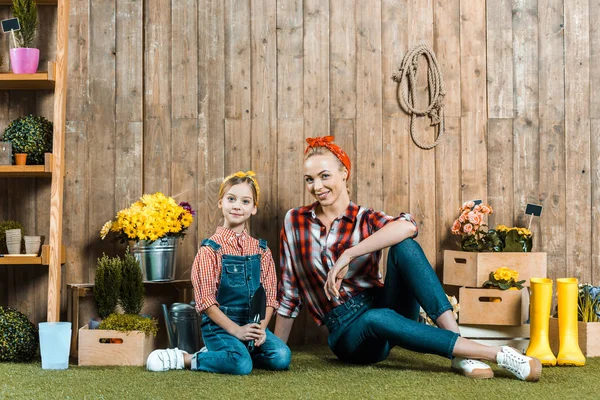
(24, 59)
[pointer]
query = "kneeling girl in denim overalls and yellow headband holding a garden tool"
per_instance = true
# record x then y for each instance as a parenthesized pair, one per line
(228, 268)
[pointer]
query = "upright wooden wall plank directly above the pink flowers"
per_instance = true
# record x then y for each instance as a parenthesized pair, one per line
(473, 101)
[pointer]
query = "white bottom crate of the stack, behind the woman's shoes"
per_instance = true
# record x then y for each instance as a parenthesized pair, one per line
(513, 336)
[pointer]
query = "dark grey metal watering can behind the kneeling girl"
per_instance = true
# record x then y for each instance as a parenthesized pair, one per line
(182, 326)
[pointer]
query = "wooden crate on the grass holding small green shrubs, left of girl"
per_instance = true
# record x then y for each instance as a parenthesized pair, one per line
(133, 348)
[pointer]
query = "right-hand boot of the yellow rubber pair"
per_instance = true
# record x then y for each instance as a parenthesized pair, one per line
(569, 352)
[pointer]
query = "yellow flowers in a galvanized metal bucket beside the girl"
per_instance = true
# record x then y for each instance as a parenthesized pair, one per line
(154, 240)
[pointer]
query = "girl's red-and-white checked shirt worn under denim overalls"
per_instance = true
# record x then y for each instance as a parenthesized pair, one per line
(206, 271)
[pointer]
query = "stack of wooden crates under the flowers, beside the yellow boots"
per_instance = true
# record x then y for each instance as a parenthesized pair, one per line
(493, 316)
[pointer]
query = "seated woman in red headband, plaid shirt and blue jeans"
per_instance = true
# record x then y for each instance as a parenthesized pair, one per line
(330, 252)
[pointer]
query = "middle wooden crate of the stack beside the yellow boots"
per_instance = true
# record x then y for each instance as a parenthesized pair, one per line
(476, 306)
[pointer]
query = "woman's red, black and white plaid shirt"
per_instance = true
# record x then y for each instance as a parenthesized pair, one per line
(308, 253)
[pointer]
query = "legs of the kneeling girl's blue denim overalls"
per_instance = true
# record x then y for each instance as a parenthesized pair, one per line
(228, 355)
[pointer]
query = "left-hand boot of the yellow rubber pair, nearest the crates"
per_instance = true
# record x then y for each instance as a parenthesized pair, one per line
(539, 315)
